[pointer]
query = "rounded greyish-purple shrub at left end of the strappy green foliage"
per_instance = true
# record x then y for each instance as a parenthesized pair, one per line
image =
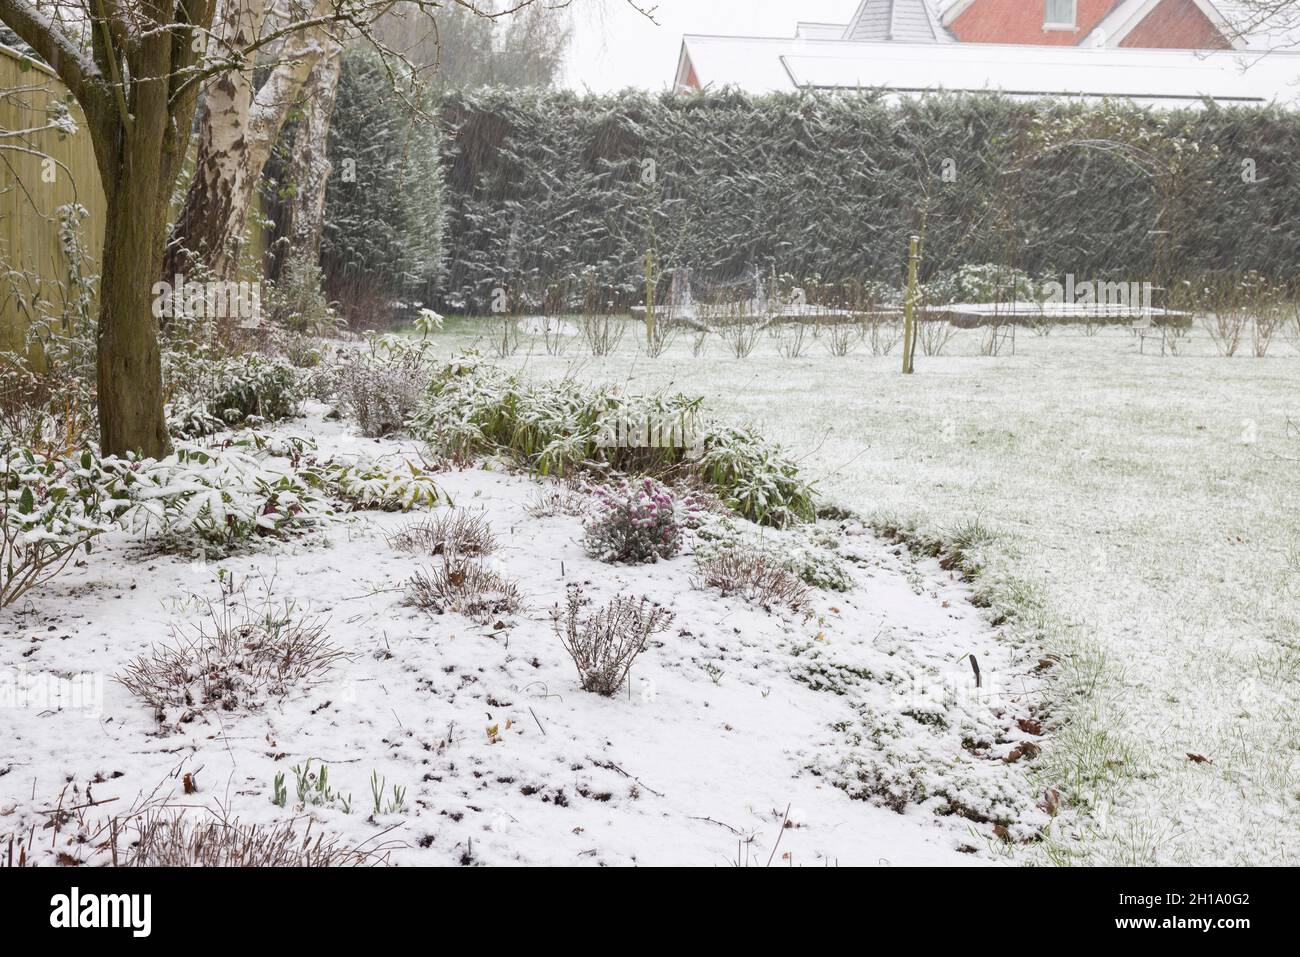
(382, 388)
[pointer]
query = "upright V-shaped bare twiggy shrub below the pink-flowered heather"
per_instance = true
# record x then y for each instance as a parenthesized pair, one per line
(605, 644)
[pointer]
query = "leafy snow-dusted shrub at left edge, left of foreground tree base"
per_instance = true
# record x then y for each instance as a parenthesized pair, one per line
(50, 509)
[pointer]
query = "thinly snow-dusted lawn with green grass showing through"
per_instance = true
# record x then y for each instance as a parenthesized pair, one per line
(1147, 514)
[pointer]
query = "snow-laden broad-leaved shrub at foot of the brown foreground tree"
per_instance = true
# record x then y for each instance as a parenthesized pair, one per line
(220, 499)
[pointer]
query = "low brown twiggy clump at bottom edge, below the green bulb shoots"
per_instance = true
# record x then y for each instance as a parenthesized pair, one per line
(174, 839)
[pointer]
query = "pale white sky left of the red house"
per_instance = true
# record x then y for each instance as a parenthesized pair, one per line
(616, 47)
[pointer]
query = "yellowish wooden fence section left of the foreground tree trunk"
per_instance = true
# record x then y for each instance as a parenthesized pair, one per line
(40, 174)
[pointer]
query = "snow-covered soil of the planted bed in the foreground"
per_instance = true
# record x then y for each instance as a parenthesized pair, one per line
(736, 721)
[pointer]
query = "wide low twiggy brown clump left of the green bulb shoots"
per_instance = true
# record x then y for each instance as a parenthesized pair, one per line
(244, 655)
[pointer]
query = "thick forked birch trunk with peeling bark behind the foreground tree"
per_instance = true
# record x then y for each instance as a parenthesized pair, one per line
(239, 129)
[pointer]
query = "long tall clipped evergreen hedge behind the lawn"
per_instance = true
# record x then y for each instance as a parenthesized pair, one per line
(554, 188)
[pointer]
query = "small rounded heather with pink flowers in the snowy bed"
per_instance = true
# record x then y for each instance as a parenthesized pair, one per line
(636, 522)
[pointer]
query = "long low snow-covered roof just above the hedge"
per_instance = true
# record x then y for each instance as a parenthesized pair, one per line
(1163, 77)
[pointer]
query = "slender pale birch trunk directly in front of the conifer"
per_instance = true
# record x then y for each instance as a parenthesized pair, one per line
(311, 168)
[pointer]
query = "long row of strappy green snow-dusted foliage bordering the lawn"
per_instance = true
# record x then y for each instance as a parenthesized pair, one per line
(558, 428)
